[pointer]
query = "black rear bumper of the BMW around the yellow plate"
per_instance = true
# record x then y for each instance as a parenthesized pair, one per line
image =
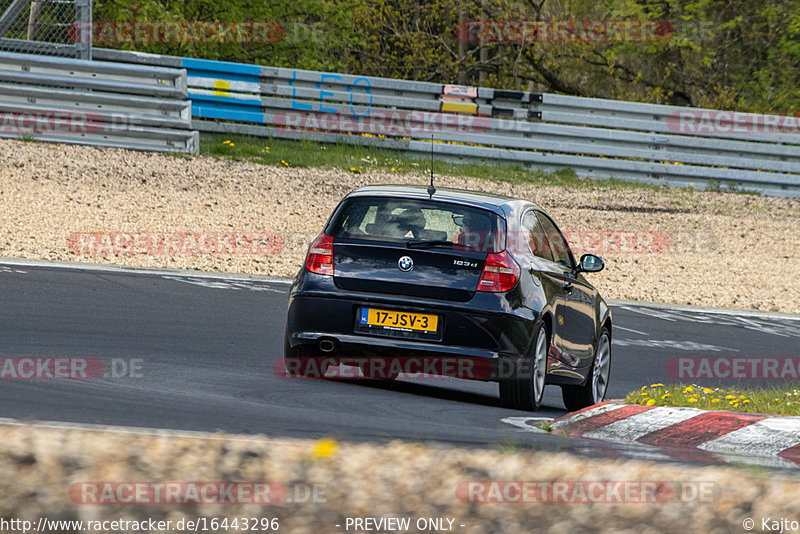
(474, 329)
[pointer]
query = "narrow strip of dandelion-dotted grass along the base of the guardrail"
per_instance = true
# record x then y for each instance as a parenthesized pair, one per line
(360, 159)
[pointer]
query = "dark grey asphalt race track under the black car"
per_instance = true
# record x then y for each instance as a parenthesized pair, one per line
(196, 353)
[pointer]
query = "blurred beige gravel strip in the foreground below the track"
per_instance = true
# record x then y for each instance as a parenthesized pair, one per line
(40, 465)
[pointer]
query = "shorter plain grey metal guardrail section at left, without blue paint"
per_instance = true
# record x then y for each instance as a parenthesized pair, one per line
(93, 102)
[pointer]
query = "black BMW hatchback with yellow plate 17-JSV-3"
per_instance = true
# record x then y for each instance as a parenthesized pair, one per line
(453, 283)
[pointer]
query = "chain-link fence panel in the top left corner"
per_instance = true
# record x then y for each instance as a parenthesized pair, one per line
(47, 27)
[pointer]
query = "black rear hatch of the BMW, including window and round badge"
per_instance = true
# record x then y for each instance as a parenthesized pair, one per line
(411, 247)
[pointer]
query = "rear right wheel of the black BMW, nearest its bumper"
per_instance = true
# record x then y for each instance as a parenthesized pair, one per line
(526, 393)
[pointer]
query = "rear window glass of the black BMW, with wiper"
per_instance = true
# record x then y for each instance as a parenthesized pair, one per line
(418, 222)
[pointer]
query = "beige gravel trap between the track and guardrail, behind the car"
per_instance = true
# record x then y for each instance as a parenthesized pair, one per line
(724, 249)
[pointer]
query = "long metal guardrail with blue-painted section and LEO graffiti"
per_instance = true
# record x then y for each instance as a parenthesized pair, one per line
(595, 137)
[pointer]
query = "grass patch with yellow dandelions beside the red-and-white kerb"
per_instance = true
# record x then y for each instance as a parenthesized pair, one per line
(783, 400)
